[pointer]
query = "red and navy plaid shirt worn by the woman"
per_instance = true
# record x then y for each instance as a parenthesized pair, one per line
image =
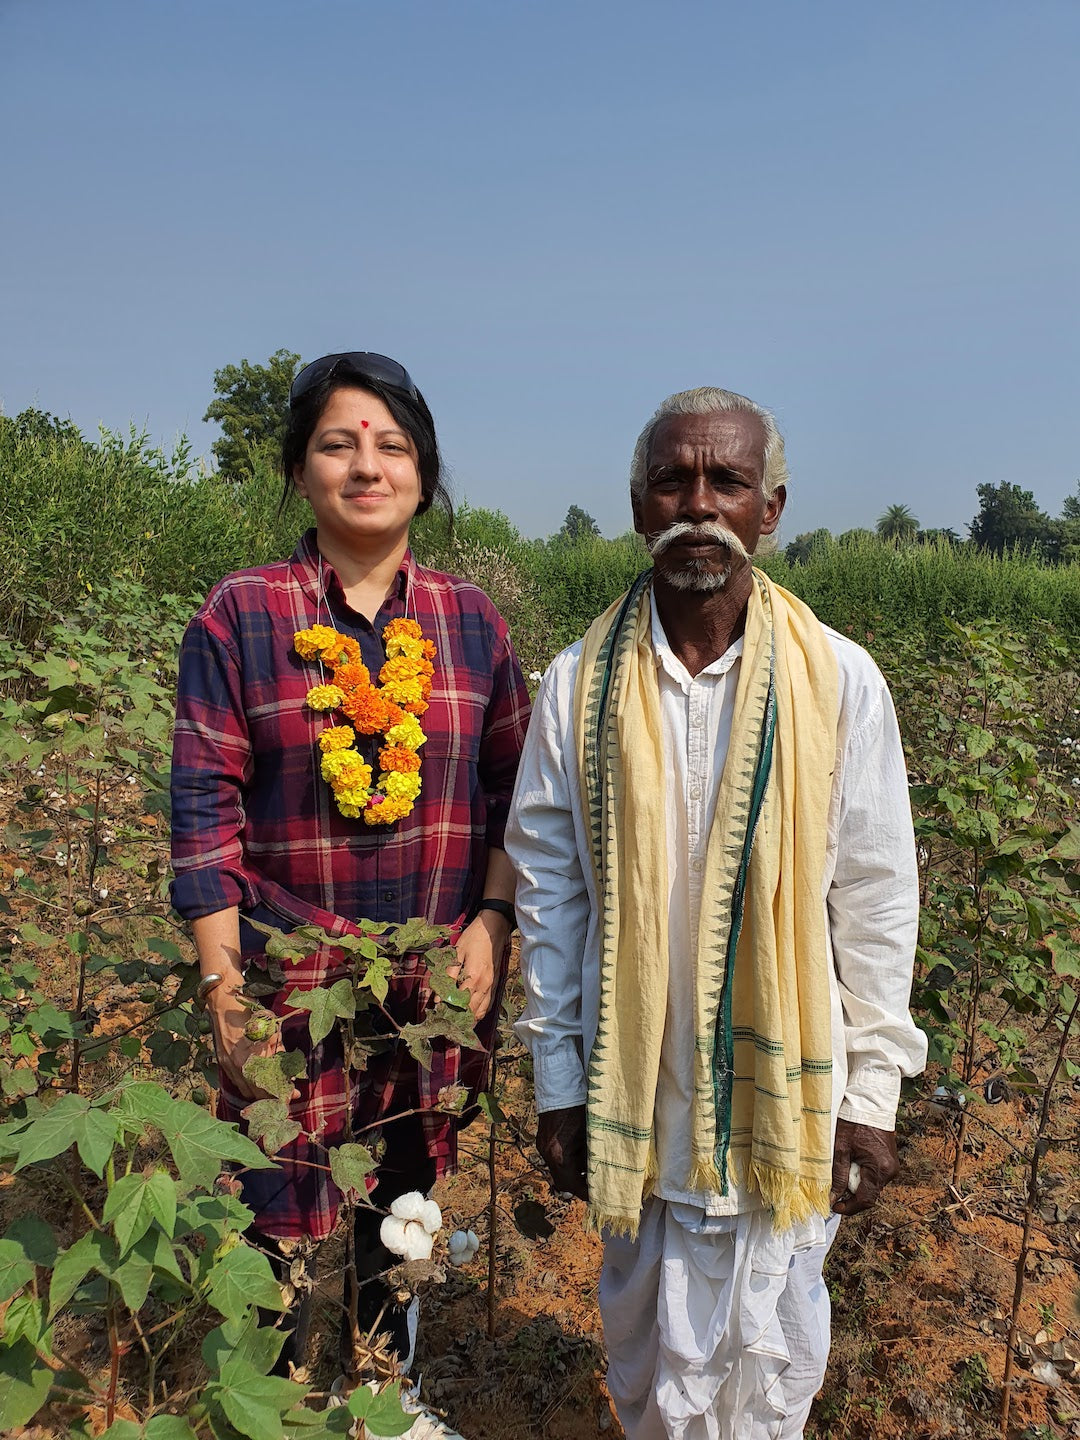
(256, 826)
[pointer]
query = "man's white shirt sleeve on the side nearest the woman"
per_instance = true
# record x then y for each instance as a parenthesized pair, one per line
(554, 902)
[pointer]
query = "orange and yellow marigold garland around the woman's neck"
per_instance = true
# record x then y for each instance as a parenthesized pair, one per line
(391, 711)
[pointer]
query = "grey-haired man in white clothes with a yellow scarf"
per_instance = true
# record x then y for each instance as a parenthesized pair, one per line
(719, 908)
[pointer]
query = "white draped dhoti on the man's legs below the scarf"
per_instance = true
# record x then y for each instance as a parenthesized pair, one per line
(716, 1328)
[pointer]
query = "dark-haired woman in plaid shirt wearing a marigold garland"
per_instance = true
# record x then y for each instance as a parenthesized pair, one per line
(264, 830)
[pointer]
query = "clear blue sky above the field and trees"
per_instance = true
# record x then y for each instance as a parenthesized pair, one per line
(555, 214)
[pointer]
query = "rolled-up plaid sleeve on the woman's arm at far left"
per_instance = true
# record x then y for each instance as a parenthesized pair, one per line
(212, 765)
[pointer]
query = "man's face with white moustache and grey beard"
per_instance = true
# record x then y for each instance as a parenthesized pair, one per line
(703, 510)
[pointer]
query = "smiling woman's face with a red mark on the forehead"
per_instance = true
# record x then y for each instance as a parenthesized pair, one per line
(359, 473)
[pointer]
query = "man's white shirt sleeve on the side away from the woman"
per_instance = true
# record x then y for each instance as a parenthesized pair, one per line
(873, 906)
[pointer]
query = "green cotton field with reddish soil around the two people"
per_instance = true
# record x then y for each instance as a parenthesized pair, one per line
(126, 1294)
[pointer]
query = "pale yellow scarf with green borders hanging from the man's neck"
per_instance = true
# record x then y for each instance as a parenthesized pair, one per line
(764, 1050)
